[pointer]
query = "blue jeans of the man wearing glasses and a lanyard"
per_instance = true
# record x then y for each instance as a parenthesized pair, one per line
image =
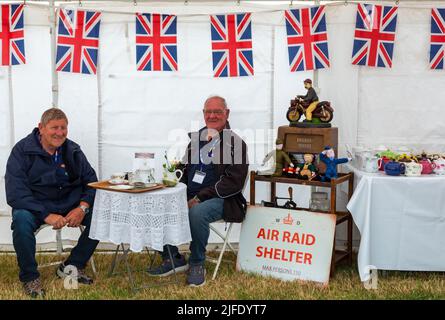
(200, 216)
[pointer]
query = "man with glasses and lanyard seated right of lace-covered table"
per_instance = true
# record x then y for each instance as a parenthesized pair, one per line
(215, 172)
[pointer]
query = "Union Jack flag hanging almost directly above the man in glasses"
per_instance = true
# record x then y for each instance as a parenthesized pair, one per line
(232, 45)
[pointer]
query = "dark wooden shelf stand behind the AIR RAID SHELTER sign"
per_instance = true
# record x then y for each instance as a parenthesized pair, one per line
(342, 216)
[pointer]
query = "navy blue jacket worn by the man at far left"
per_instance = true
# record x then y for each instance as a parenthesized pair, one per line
(31, 182)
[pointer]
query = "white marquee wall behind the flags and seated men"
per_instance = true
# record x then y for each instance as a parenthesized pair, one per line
(121, 111)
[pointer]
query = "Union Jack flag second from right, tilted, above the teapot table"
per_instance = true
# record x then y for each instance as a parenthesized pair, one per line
(375, 31)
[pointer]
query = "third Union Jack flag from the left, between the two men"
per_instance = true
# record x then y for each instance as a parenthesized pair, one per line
(156, 45)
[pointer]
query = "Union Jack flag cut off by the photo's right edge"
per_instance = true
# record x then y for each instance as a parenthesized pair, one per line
(437, 48)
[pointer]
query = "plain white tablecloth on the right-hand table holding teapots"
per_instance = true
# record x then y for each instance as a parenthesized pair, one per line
(401, 222)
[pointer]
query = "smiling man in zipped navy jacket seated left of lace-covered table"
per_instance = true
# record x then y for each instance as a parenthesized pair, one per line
(46, 183)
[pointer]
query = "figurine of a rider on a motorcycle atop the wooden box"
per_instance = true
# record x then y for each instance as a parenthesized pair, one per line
(317, 113)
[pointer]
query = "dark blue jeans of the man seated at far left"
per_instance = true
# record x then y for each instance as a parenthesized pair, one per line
(24, 224)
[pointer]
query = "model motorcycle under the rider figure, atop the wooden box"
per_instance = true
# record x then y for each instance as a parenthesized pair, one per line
(297, 108)
